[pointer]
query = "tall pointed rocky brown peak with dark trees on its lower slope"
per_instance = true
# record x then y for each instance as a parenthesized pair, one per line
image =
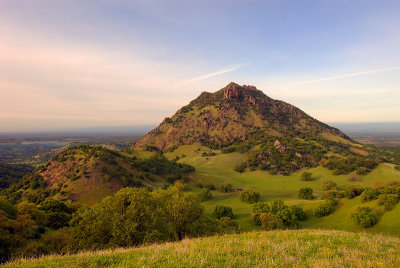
(275, 135)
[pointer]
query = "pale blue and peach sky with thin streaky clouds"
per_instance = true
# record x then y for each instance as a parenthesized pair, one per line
(86, 63)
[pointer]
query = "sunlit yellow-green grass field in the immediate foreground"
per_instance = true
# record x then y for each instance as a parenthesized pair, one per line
(294, 248)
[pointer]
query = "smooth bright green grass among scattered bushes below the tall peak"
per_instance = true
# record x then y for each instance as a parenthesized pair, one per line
(219, 169)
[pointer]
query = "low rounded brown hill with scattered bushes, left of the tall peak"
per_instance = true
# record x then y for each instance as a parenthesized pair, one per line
(89, 173)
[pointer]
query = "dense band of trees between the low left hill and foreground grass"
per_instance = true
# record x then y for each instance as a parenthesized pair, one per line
(131, 217)
